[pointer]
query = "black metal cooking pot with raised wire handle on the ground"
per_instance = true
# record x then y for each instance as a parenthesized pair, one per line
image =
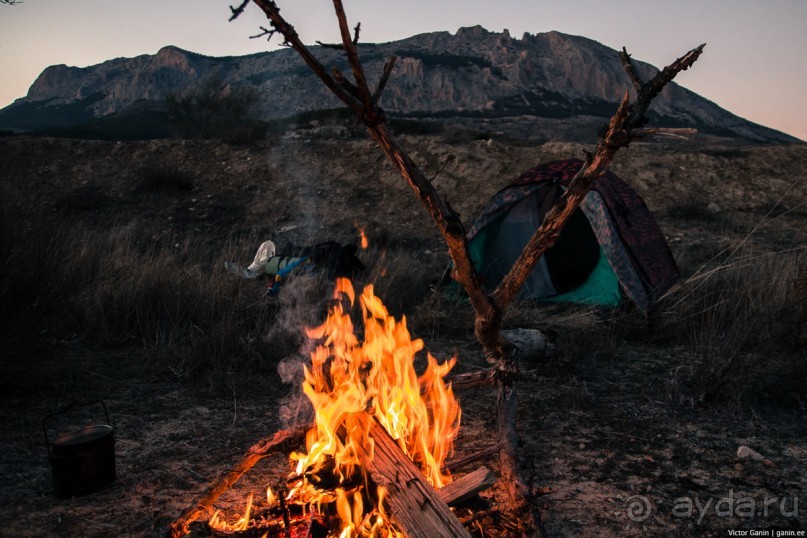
(83, 461)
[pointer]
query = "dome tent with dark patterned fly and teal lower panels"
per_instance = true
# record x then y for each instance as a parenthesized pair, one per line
(610, 249)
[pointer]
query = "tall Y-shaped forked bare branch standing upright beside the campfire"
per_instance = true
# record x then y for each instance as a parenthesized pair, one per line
(490, 306)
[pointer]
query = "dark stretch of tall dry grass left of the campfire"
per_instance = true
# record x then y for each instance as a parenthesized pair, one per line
(67, 288)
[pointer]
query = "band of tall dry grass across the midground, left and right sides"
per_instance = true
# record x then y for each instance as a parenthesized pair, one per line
(738, 323)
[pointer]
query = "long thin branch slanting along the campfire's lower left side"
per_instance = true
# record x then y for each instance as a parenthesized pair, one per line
(282, 440)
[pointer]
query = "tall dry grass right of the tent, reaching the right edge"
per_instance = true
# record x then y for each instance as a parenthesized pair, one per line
(742, 323)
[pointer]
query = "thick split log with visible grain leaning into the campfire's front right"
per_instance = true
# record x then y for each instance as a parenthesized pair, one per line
(417, 509)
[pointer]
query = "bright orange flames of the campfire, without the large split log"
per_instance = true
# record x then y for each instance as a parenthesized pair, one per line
(377, 376)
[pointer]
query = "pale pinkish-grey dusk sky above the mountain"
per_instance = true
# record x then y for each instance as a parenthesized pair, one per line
(754, 64)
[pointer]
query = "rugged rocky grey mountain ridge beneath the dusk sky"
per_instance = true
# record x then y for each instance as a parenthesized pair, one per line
(548, 85)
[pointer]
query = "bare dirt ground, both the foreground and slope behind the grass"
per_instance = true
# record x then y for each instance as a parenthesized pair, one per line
(609, 452)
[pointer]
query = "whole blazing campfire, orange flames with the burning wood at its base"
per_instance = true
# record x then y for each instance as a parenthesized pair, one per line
(371, 409)
